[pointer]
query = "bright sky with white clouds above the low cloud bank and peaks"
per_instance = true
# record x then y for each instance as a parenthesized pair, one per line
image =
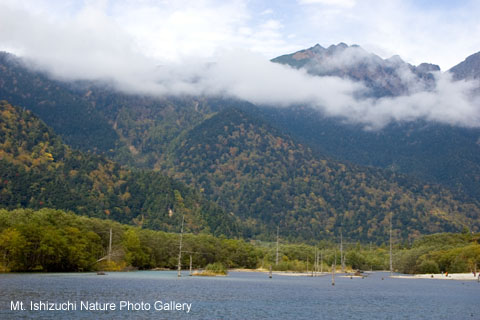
(443, 32)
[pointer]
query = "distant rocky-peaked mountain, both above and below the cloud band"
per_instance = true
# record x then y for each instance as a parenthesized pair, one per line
(433, 152)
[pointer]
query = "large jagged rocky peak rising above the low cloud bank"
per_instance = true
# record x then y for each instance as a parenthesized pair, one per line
(385, 77)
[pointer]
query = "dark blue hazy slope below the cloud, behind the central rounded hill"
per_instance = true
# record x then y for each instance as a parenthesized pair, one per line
(432, 152)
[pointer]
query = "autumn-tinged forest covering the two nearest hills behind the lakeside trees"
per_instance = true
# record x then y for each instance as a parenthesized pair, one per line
(257, 178)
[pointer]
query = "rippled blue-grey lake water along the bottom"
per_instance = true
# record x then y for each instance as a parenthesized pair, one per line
(241, 295)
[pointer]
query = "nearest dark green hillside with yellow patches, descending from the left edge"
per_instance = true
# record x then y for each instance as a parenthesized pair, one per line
(37, 170)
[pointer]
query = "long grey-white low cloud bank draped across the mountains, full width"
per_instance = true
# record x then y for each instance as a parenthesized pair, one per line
(92, 47)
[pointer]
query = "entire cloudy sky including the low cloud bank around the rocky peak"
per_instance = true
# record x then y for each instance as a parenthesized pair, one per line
(215, 47)
